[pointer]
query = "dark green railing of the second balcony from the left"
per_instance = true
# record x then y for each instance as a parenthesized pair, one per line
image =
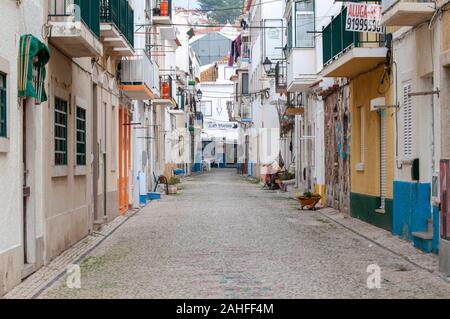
(121, 14)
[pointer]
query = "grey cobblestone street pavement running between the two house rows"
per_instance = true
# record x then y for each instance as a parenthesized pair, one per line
(223, 237)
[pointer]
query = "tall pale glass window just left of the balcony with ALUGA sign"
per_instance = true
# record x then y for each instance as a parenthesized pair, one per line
(304, 24)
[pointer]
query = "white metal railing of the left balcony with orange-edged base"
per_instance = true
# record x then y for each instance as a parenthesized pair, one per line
(139, 70)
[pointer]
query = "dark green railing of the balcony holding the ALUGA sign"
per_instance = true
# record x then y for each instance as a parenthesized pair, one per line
(336, 40)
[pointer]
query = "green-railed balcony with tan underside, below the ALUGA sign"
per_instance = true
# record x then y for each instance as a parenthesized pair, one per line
(346, 53)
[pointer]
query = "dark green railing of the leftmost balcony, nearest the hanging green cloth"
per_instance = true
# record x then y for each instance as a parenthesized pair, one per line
(87, 11)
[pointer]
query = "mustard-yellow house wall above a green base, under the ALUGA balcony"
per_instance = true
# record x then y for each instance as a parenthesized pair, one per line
(363, 89)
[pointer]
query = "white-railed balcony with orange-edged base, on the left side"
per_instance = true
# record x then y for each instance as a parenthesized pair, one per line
(139, 78)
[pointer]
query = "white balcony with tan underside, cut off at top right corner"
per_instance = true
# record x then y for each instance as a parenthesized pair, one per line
(406, 12)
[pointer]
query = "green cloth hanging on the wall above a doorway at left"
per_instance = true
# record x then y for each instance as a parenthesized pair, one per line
(33, 56)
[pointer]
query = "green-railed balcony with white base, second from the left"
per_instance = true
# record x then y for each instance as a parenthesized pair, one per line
(117, 27)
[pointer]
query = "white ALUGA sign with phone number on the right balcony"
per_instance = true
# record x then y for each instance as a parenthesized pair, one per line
(363, 17)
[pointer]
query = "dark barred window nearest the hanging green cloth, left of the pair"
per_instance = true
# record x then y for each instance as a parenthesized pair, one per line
(60, 132)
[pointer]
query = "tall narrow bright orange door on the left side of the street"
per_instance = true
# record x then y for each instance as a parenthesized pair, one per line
(124, 160)
